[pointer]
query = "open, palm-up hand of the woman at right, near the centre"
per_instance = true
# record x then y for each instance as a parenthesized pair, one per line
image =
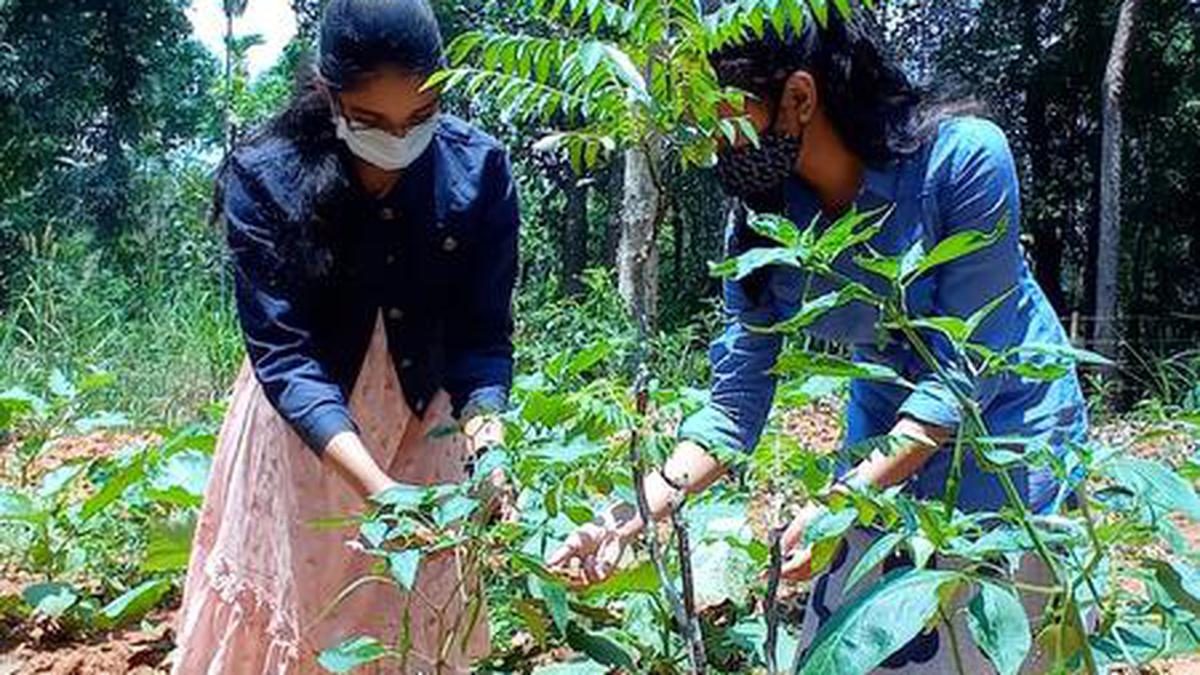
(591, 554)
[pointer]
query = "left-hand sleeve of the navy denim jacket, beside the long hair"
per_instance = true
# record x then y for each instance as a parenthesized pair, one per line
(275, 320)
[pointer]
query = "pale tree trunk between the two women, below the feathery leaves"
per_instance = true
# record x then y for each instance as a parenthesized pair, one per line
(638, 258)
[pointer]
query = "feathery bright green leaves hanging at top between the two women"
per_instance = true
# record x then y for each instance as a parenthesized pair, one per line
(598, 76)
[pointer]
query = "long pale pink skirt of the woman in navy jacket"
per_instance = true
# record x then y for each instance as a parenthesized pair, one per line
(267, 566)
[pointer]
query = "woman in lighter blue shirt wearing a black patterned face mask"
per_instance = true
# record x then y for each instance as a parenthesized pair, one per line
(841, 127)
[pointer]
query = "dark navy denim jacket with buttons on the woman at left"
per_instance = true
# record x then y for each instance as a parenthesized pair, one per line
(315, 270)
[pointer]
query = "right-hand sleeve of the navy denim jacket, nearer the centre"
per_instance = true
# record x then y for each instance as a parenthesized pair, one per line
(479, 365)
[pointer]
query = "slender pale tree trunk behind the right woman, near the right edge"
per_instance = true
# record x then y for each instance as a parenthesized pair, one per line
(1109, 252)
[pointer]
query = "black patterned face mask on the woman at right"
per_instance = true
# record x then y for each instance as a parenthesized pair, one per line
(757, 175)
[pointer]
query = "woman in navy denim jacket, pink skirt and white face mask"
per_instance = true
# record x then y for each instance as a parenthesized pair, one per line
(374, 244)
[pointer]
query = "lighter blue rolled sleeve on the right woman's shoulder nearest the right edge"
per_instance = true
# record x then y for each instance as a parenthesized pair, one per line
(977, 189)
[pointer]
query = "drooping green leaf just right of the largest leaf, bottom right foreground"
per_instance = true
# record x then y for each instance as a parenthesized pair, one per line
(1000, 628)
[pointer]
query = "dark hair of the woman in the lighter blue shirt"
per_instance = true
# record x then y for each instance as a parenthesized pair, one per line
(872, 103)
